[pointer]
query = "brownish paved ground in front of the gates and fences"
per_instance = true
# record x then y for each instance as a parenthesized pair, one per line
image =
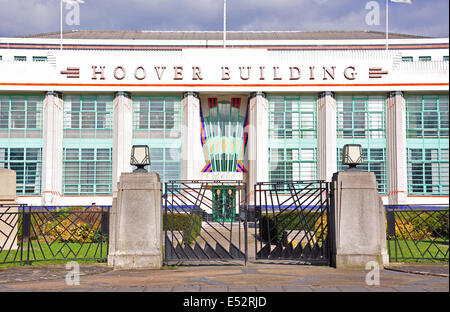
(250, 278)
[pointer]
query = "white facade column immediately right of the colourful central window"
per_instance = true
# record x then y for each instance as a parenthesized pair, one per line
(258, 142)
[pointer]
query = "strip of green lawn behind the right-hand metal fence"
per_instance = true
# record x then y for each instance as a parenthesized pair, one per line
(409, 251)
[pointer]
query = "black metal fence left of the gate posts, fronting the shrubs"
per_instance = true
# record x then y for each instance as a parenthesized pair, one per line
(53, 233)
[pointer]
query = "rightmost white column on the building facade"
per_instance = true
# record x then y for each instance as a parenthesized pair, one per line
(396, 148)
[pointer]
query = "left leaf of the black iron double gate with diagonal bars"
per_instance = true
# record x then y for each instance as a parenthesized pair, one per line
(205, 221)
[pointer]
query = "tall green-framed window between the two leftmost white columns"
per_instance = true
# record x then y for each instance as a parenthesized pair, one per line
(87, 145)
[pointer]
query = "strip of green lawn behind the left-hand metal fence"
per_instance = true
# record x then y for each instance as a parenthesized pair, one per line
(40, 254)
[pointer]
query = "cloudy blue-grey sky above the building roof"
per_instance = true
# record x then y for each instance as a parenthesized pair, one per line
(423, 17)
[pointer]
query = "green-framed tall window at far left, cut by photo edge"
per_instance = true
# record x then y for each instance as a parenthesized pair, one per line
(21, 140)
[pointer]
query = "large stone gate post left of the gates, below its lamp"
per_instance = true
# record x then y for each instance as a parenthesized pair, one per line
(136, 232)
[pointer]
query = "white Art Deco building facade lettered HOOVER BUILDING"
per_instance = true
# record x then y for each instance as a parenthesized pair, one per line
(257, 110)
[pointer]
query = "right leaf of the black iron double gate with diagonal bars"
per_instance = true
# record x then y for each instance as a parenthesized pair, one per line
(291, 221)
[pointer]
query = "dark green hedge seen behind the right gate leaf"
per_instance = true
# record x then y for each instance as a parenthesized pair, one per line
(287, 221)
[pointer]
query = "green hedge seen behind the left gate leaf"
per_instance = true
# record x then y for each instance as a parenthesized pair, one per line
(189, 224)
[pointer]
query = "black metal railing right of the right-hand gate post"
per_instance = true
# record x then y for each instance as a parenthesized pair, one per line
(417, 233)
